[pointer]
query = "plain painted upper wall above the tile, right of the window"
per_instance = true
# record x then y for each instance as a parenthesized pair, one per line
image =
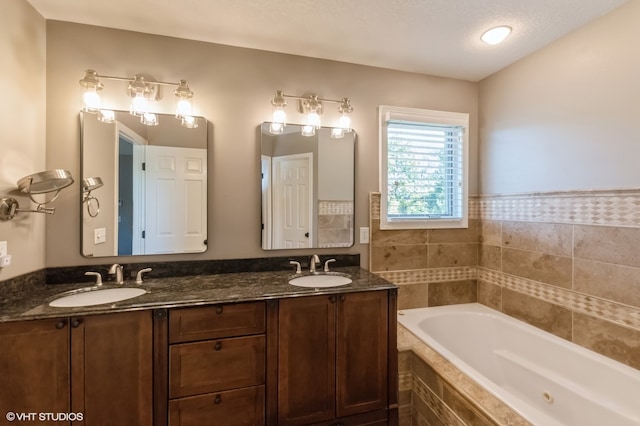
(566, 117)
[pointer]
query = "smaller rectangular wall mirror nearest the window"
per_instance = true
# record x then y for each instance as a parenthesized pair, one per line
(308, 188)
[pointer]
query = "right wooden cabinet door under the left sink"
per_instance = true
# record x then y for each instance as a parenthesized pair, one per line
(112, 365)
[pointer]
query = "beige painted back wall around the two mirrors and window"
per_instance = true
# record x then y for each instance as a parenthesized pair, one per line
(233, 88)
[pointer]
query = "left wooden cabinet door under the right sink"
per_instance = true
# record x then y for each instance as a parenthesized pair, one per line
(306, 360)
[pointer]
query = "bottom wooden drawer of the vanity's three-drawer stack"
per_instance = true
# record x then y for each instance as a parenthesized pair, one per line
(236, 407)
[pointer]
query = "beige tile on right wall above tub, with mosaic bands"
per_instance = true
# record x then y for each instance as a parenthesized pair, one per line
(568, 263)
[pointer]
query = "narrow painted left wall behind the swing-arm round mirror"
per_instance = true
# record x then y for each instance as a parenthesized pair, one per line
(22, 128)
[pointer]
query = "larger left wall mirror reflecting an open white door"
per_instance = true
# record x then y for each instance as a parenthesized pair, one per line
(144, 188)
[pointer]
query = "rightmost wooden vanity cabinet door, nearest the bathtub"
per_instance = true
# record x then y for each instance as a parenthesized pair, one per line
(362, 330)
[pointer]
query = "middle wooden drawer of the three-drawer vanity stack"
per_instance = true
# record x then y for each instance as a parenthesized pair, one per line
(210, 366)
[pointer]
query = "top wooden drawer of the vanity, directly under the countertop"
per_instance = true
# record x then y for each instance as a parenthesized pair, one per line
(213, 322)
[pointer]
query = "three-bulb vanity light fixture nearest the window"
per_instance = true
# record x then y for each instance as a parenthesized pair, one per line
(311, 107)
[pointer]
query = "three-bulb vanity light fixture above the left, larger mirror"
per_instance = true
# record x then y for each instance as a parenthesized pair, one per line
(141, 92)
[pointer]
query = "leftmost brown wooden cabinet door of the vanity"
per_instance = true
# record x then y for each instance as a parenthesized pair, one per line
(34, 367)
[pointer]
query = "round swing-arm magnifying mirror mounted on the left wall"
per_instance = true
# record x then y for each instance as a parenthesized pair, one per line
(37, 183)
